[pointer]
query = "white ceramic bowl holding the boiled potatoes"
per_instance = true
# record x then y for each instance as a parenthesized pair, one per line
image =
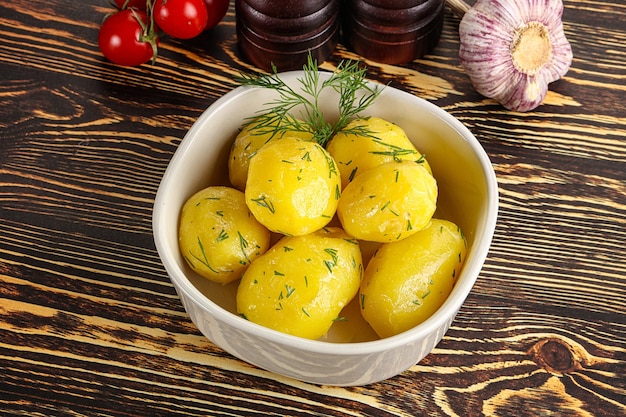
(468, 196)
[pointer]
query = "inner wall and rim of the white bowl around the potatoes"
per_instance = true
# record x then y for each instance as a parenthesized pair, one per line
(467, 187)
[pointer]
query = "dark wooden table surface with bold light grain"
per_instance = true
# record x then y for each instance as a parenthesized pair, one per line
(91, 325)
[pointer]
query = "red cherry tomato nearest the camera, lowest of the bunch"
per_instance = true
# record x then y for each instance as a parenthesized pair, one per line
(123, 41)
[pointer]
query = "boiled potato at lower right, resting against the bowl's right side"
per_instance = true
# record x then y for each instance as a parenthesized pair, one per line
(407, 281)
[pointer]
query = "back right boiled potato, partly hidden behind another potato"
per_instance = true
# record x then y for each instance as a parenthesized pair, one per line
(367, 142)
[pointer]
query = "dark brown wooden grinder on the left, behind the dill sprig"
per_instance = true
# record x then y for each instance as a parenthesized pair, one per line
(283, 32)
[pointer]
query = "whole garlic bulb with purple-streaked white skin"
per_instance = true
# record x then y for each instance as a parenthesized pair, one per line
(512, 49)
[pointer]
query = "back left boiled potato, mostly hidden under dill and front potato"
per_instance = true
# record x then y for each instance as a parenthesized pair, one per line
(252, 137)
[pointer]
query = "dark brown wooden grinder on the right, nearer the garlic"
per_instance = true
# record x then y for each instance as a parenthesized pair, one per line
(392, 31)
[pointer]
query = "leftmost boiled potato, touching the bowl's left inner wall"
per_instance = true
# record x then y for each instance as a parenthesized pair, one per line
(218, 236)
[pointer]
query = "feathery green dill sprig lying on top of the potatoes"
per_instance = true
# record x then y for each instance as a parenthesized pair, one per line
(299, 109)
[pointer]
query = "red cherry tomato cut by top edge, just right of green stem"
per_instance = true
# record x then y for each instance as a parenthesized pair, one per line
(182, 19)
